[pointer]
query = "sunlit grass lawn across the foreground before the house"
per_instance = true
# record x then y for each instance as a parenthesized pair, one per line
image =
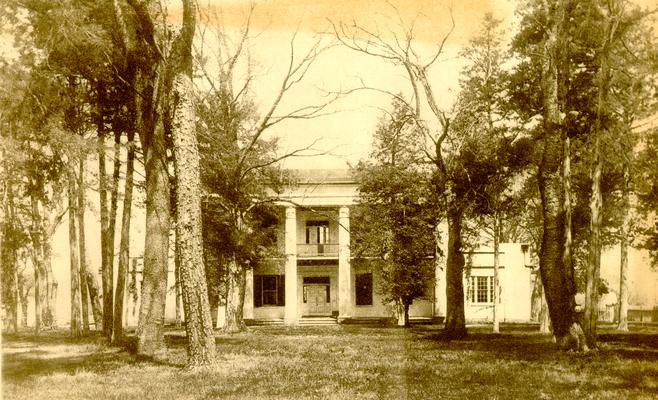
(339, 362)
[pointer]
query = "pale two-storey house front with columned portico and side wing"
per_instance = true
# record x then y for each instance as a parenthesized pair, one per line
(318, 277)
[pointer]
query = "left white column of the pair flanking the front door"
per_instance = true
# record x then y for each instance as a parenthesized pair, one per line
(290, 250)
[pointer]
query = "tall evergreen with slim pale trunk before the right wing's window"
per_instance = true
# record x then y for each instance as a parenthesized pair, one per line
(495, 155)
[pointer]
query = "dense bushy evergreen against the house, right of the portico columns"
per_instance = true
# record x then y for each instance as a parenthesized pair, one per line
(394, 220)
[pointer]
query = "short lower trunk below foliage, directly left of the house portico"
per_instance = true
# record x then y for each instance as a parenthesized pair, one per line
(236, 278)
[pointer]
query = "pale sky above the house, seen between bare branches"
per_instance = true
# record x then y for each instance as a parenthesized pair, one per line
(344, 136)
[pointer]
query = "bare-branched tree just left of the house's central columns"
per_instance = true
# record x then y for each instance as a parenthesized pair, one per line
(245, 135)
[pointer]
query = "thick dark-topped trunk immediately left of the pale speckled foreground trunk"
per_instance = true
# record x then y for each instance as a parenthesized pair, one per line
(143, 53)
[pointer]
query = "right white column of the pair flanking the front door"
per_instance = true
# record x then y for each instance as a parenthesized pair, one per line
(345, 297)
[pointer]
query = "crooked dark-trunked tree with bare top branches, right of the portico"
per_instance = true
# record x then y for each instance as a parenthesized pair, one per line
(400, 50)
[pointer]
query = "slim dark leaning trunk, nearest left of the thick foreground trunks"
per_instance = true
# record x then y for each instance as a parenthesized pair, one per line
(124, 246)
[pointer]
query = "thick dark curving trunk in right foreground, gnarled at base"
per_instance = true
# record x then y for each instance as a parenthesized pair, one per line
(556, 275)
